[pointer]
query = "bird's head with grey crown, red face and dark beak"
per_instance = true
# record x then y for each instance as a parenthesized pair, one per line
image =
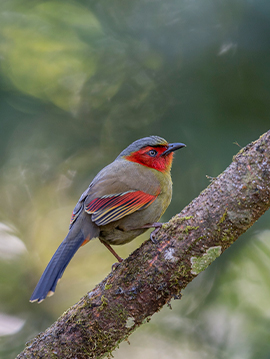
(153, 151)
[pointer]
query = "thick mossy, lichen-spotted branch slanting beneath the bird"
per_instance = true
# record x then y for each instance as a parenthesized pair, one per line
(155, 273)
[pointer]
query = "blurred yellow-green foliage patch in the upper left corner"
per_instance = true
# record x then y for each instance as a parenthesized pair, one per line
(43, 54)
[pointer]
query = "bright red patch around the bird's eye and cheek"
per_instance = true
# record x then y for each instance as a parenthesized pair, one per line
(151, 157)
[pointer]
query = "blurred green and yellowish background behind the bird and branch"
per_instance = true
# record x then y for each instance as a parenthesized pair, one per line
(79, 81)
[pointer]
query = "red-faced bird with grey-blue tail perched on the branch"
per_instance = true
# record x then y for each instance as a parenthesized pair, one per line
(126, 197)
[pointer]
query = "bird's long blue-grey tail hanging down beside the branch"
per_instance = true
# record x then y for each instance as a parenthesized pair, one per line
(57, 265)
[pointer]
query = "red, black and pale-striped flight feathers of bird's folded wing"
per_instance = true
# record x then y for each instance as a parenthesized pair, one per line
(112, 207)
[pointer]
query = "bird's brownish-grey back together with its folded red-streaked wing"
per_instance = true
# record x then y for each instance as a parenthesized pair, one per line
(122, 179)
